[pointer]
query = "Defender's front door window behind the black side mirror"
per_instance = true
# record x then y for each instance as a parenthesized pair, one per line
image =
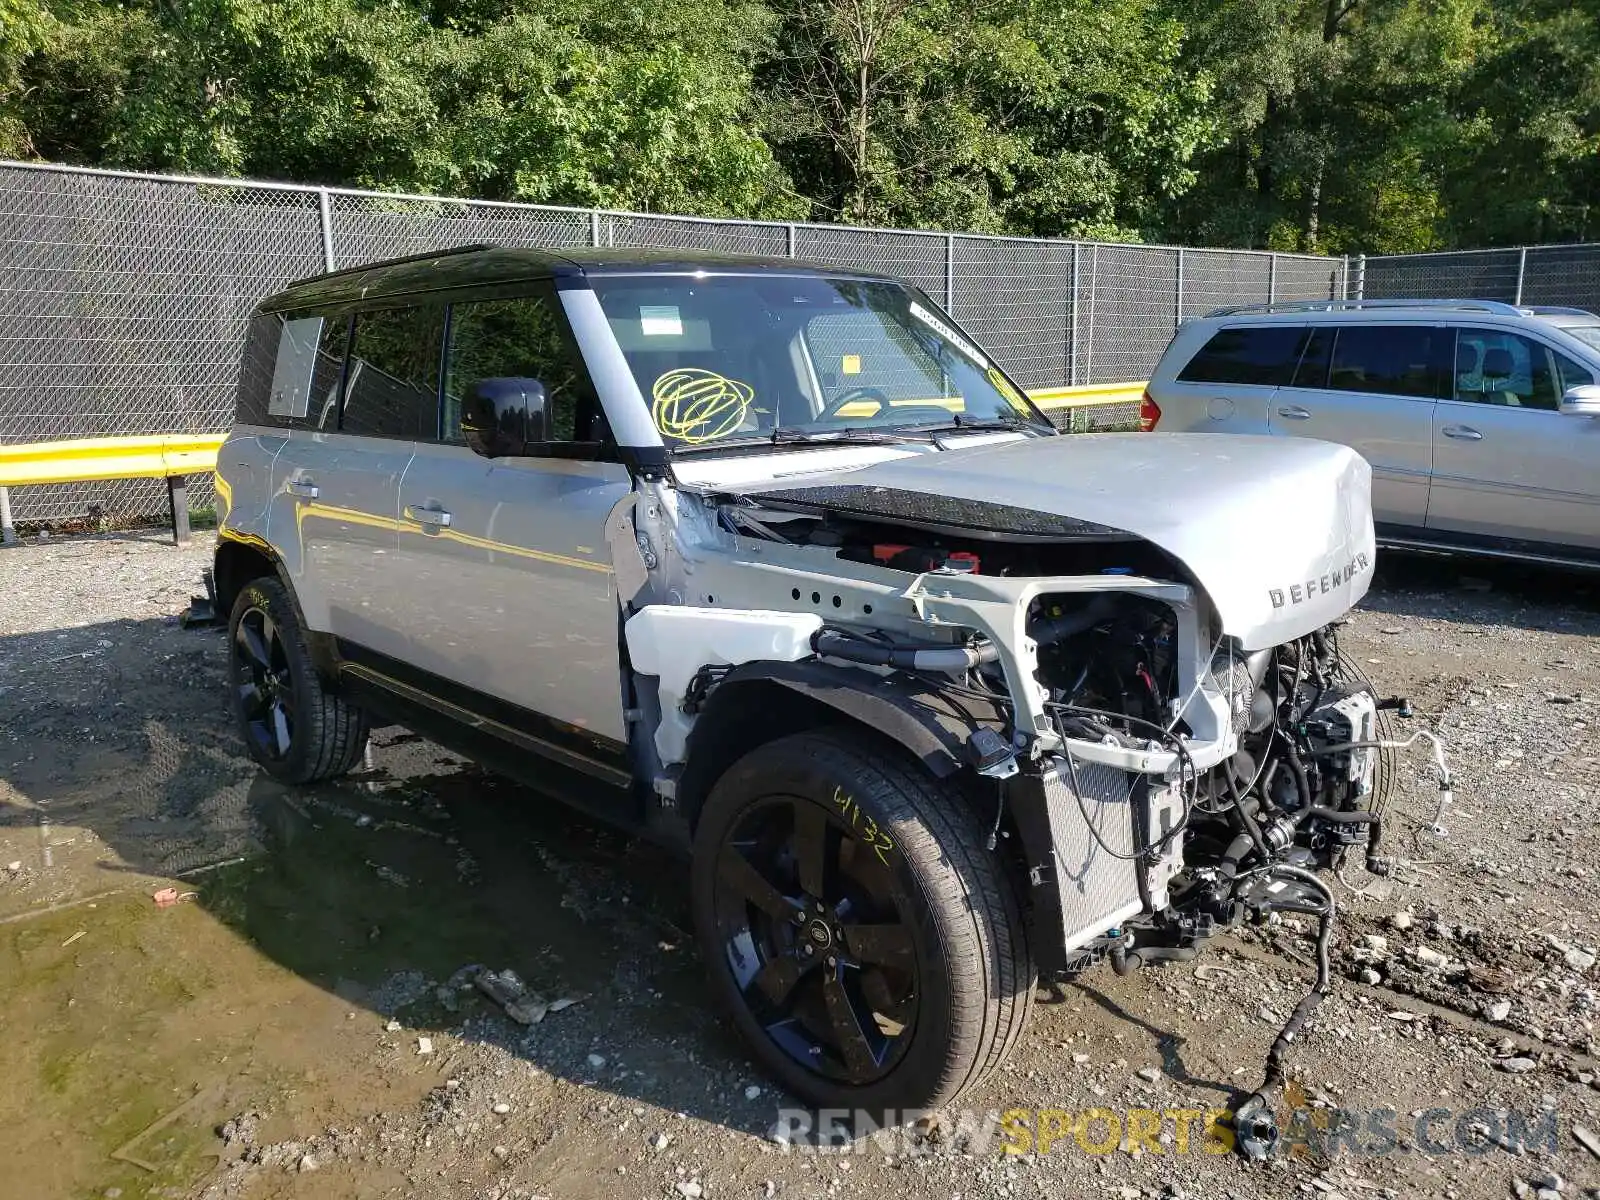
(522, 338)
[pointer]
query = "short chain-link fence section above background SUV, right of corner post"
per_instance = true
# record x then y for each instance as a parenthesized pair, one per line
(1564, 276)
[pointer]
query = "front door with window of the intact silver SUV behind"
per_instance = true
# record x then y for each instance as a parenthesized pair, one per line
(1506, 463)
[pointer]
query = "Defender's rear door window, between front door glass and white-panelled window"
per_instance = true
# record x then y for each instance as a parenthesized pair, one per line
(391, 385)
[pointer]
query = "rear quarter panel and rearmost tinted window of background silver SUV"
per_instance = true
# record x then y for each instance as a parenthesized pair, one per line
(1230, 383)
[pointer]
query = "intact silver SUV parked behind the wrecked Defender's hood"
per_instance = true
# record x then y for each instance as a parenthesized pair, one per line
(1481, 420)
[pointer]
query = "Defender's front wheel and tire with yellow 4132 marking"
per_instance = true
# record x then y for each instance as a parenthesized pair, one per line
(865, 942)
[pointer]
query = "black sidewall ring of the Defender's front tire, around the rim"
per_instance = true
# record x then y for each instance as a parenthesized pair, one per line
(812, 769)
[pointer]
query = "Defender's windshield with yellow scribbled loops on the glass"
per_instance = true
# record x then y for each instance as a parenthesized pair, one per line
(735, 359)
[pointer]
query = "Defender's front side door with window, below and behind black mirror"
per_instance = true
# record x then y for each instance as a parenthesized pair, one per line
(508, 572)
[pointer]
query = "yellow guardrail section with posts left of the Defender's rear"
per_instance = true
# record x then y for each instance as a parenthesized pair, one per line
(170, 457)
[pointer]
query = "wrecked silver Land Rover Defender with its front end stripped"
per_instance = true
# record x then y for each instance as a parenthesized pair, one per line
(775, 564)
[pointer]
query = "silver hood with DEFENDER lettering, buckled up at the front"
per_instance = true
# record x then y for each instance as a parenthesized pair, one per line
(1279, 532)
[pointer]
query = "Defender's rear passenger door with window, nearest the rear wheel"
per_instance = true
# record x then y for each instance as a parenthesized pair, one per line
(340, 476)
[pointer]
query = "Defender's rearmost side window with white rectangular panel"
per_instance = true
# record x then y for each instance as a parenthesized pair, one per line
(290, 372)
